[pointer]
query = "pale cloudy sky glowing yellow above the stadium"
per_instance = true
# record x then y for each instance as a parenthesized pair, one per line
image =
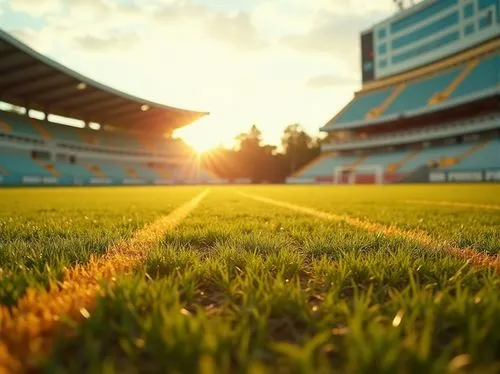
(265, 62)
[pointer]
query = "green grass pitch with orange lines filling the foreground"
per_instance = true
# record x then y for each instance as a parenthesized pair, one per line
(302, 279)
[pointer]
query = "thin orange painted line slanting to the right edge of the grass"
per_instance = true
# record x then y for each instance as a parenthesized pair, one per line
(467, 254)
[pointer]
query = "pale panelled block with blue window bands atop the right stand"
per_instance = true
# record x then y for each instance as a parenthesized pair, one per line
(425, 33)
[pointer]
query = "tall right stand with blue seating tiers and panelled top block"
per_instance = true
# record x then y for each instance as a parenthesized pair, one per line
(429, 106)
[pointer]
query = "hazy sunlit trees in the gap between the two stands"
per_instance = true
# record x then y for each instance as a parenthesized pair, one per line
(263, 163)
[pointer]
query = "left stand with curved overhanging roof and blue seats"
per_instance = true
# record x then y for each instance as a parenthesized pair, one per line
(122, 139)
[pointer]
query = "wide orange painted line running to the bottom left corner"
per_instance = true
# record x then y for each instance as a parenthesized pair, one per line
(28, 329)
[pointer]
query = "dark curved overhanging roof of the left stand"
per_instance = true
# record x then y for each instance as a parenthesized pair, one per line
(30, 79)
